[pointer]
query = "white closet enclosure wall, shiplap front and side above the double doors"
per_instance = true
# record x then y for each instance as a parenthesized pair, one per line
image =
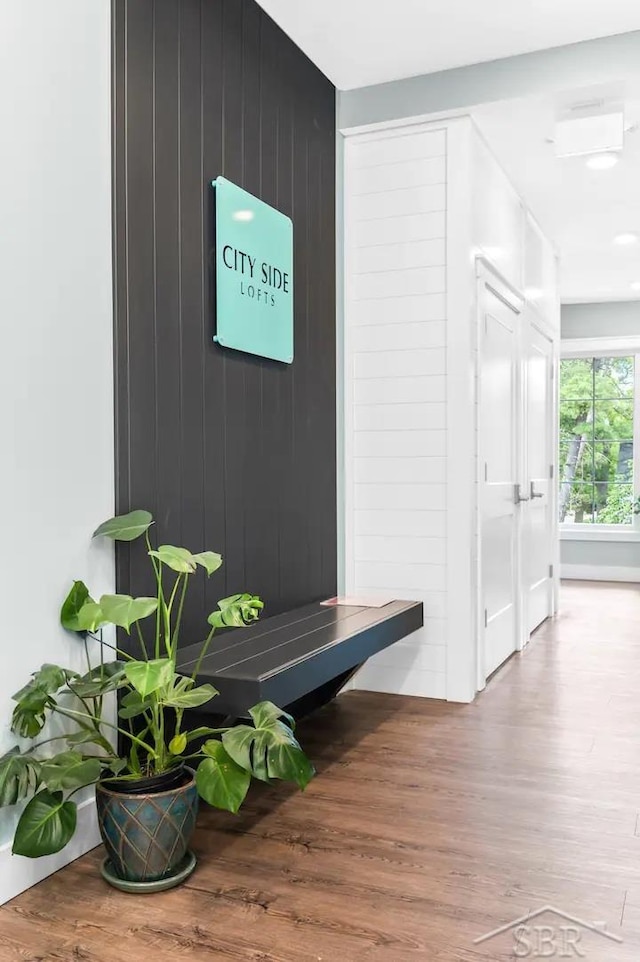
(421, 201)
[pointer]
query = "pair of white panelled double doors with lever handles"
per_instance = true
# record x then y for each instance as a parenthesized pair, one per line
(516, 428)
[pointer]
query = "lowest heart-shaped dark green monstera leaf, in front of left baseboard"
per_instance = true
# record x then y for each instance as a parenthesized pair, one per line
(46, 825)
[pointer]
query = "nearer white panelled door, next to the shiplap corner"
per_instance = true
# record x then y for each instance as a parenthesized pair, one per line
(499, 411)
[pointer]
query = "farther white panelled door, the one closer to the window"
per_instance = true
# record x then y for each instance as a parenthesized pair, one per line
(538, 523)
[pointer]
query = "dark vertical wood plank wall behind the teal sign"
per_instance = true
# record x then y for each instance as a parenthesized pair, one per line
(230, 452)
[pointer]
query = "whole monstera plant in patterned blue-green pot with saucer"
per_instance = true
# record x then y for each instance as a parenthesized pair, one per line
(147, 792)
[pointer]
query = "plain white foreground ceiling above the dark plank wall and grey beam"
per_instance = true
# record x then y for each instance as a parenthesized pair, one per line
(361, 42)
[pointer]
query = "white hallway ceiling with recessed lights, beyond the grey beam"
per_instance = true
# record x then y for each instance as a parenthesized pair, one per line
(580, 210)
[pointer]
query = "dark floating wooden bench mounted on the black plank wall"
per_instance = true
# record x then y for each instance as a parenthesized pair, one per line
(299, 659)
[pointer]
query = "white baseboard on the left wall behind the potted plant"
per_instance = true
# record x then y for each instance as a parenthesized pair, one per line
(18, 874)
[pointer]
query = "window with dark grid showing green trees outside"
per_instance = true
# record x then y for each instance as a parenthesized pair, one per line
(596, 464)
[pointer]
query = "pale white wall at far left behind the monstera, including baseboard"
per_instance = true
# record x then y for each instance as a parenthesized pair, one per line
(56, 368)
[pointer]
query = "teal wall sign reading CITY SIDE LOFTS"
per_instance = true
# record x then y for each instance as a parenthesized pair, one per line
(254, 274)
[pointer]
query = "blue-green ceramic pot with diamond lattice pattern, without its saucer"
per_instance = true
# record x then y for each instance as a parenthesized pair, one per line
(146, 835)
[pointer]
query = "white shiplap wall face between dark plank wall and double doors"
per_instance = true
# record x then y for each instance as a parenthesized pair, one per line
(395, 393)
